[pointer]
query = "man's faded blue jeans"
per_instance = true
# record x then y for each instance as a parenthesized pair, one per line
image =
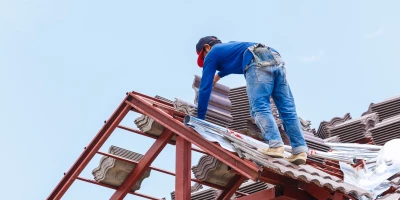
(266, 77)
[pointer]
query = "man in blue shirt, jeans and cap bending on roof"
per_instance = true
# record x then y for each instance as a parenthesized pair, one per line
(265, 74)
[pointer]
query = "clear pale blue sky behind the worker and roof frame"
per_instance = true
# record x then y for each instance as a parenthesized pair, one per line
(66, 65)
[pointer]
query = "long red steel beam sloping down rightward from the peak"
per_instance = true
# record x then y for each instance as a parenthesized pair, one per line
(247, 169)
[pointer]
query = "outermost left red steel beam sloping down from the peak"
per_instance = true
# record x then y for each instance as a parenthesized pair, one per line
(91, 150)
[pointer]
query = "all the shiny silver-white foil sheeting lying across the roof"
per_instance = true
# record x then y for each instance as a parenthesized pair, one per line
(382, 162)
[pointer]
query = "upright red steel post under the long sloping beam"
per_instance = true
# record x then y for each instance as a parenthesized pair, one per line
(183, 165)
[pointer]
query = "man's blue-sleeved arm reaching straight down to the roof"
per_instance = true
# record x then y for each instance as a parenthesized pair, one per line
(206, 84)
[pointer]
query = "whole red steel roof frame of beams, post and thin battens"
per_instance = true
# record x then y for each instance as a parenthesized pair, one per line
(163, 113)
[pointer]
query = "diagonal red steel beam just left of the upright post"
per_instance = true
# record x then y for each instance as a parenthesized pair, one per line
(143, 165)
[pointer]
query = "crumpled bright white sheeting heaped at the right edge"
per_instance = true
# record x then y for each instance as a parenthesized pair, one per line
(374, 179)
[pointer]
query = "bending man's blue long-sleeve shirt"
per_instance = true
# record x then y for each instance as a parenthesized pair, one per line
(227, 58)
